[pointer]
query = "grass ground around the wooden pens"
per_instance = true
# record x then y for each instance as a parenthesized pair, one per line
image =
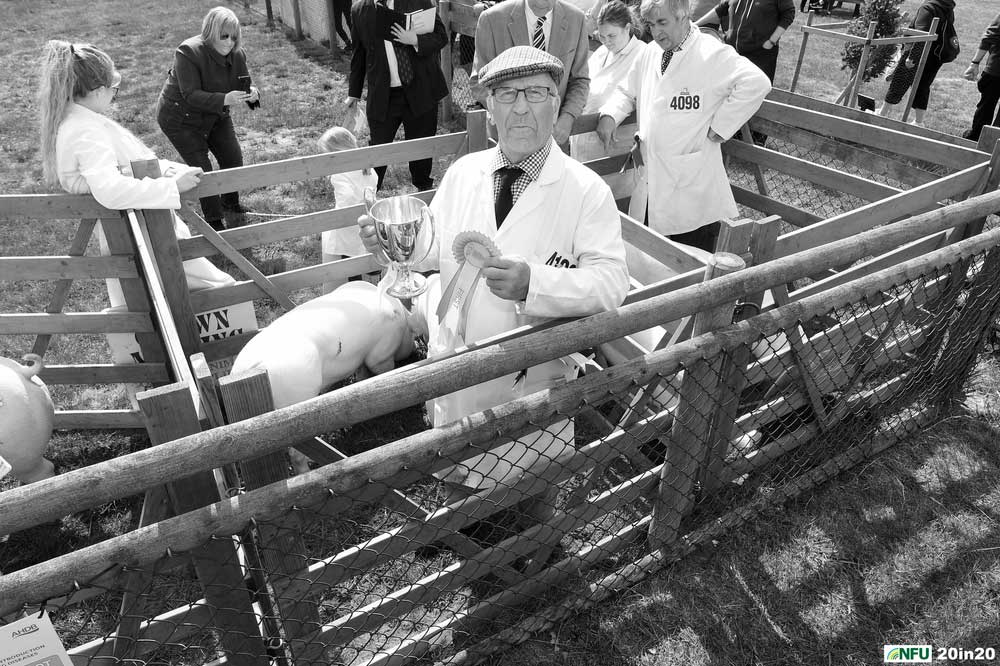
(905, 549)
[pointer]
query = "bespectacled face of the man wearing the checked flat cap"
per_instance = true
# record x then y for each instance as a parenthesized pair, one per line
(524, 111)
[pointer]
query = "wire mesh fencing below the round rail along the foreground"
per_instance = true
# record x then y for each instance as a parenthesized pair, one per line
(453, 543)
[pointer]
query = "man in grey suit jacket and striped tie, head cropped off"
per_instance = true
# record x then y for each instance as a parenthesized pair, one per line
(506, 24)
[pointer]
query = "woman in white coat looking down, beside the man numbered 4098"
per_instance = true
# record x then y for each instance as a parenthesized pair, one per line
(608, 66)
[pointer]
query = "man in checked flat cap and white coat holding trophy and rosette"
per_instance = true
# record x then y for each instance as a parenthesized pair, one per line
(553, 235)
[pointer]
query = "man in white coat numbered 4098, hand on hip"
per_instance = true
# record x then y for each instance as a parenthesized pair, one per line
(692, 93)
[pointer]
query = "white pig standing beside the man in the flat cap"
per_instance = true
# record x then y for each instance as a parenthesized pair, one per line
(305, 351)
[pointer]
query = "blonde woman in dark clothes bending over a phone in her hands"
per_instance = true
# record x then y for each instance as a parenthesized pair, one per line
(209, 76)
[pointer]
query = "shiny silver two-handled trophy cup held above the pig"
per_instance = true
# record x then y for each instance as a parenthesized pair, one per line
(404, 226)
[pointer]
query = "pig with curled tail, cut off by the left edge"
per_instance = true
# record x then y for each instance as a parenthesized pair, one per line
(26, 414)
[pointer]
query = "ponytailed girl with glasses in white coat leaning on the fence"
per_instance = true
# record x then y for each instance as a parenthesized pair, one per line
(86, 152)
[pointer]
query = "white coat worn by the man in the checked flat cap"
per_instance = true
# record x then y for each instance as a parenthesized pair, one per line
(566, 226)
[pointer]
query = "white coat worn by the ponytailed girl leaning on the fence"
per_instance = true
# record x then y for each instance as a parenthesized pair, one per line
(93, 156)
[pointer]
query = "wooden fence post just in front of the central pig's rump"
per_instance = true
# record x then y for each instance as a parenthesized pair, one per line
(282, 552)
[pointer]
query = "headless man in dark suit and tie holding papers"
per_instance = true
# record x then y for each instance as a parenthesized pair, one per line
(404, 78)
